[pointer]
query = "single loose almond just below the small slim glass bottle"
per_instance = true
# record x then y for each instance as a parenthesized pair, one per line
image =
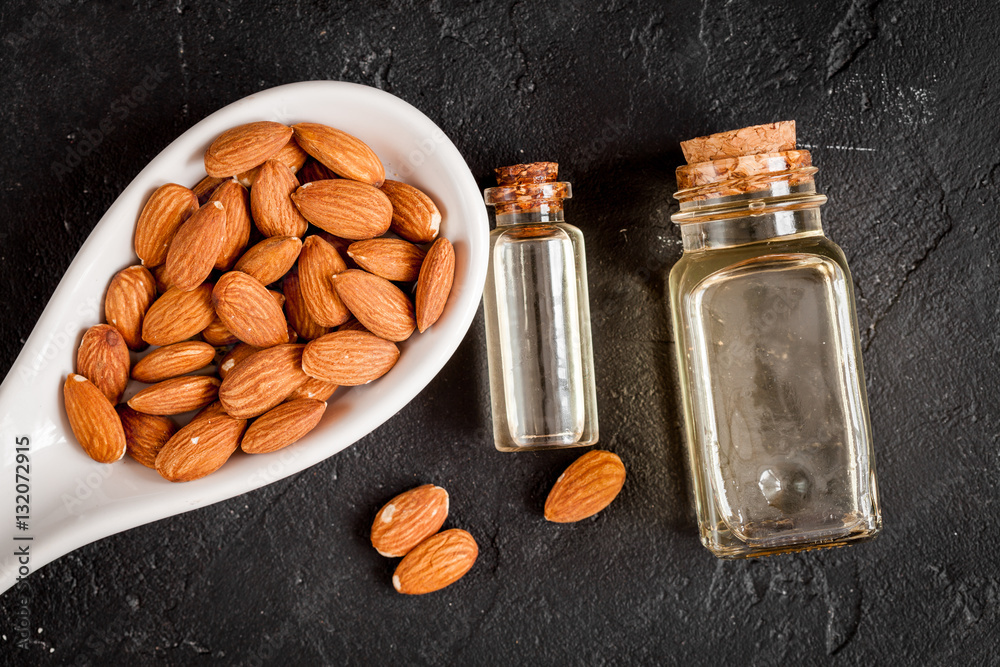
(587, 486)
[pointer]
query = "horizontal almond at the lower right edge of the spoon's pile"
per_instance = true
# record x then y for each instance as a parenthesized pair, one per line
(349, 358)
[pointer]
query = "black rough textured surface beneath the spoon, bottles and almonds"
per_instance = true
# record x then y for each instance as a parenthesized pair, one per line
(896, 99)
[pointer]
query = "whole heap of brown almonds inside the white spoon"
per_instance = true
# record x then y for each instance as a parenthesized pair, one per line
(278, 260)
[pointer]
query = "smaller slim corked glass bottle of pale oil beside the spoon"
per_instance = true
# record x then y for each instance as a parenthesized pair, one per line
(538, 316)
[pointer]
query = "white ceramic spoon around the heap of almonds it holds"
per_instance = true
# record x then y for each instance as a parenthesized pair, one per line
(70, 500)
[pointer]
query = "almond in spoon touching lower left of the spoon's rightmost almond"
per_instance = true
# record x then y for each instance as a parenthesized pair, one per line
(378, 304)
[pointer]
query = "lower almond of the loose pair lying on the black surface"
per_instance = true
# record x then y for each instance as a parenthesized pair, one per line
(438, 561)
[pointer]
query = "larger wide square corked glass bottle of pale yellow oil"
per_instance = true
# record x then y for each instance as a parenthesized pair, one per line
(768, 353)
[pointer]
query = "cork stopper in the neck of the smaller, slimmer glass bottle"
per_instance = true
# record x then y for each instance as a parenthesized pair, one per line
(526, 188)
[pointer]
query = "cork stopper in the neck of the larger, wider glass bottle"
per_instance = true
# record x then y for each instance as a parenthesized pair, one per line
(737, 162)
